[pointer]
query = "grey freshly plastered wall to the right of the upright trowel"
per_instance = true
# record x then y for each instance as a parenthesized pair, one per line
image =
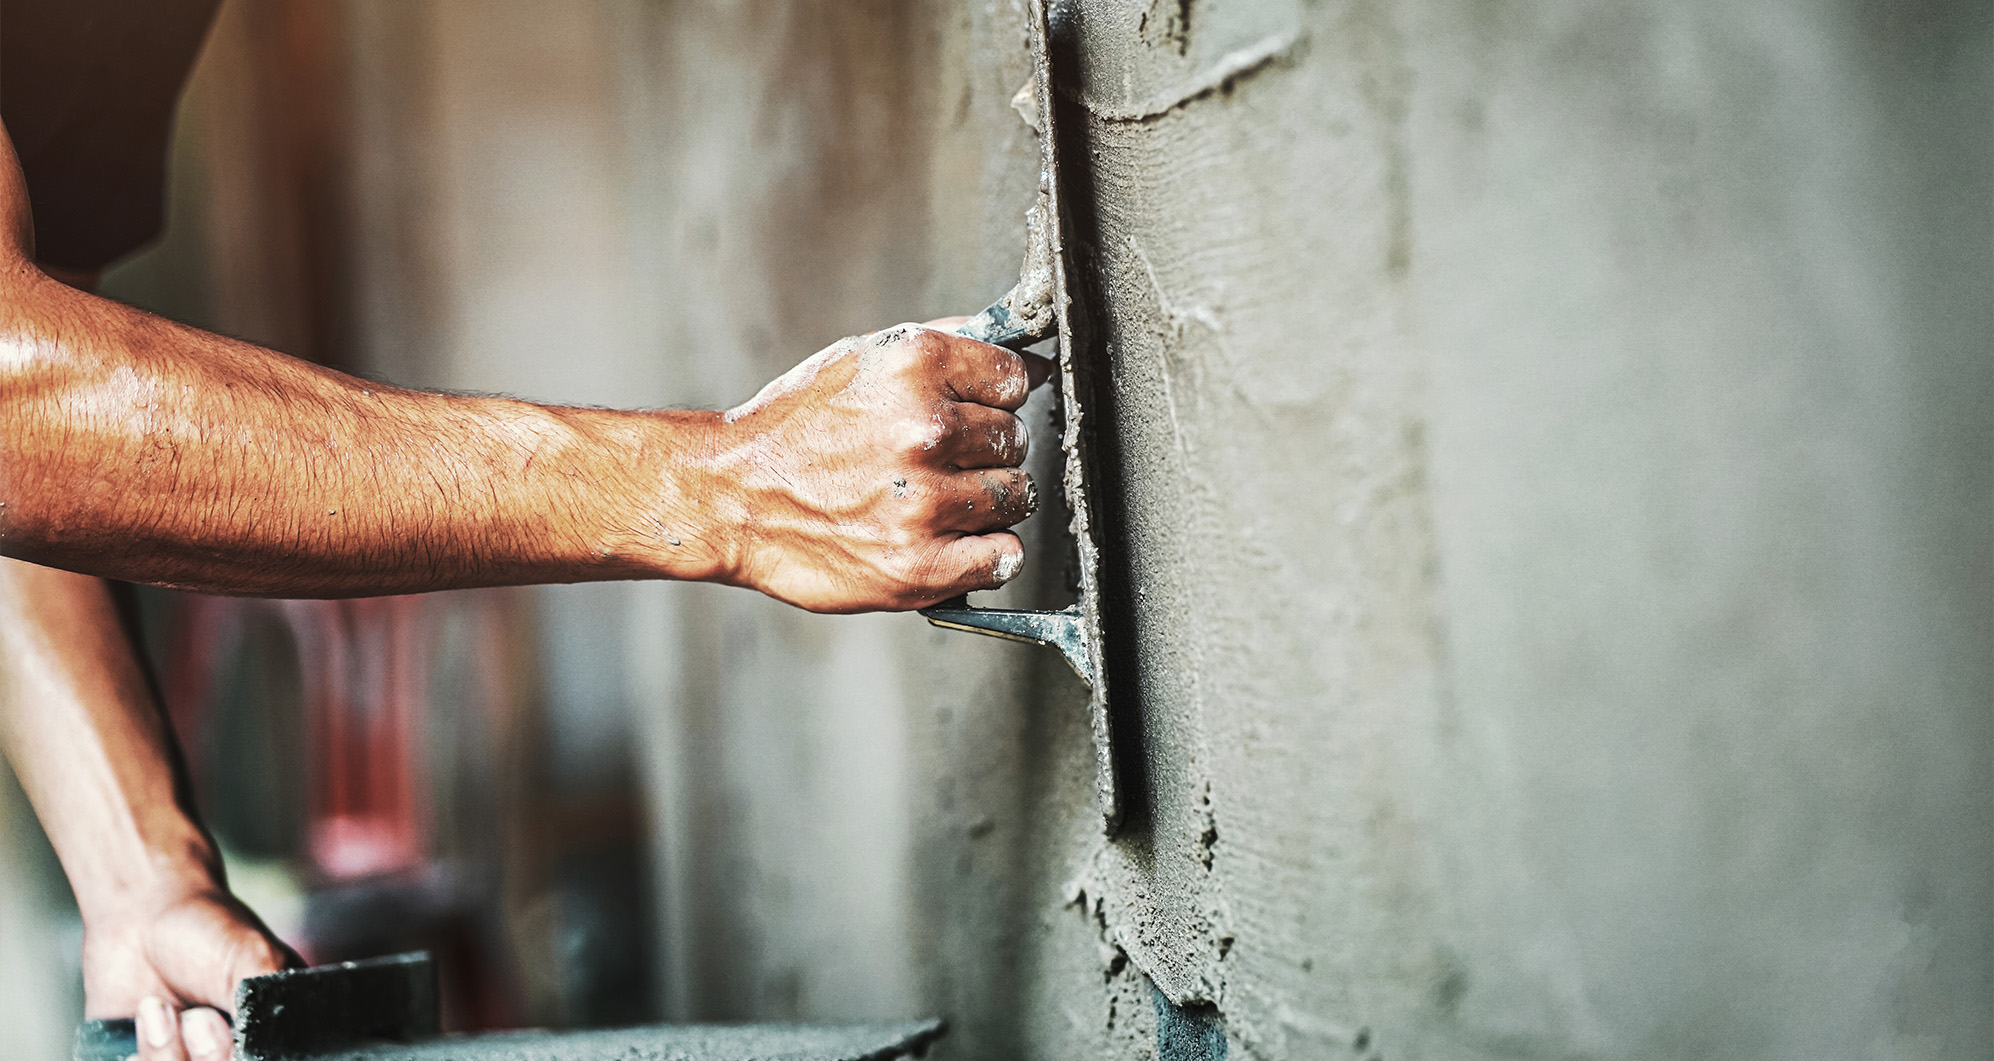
(1562, 260)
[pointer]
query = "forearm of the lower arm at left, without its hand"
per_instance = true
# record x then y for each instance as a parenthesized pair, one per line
(91, 747)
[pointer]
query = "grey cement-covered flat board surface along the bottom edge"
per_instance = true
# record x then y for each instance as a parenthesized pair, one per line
(884, 1042)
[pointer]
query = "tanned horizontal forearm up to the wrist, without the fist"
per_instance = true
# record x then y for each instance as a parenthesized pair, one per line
(153, 452)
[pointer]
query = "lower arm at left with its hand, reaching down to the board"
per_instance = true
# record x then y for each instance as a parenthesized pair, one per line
(99, 763)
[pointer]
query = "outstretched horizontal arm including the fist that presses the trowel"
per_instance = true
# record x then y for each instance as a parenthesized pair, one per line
(151, 452)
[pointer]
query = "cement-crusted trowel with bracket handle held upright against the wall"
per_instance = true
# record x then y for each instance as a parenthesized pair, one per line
(1040, 308)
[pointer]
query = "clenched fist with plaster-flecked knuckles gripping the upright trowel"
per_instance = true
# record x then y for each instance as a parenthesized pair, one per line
(884, 472)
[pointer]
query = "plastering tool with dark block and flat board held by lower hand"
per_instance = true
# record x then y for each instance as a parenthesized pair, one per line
(386, 1010)
